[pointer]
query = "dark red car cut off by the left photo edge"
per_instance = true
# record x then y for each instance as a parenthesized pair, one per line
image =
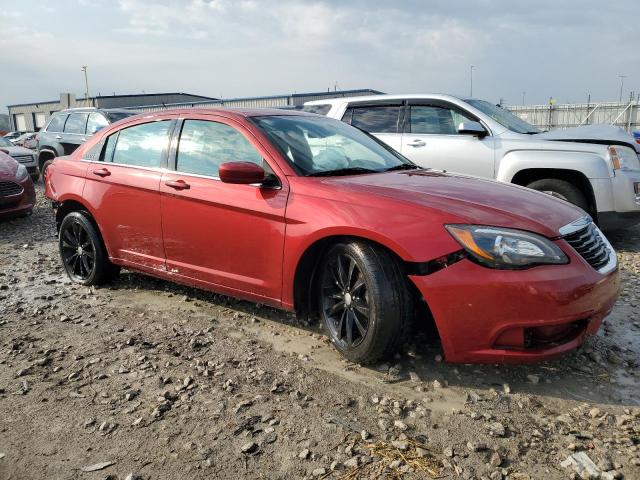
(17, 195)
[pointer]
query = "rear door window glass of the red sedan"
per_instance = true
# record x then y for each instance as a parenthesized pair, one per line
(142, 145)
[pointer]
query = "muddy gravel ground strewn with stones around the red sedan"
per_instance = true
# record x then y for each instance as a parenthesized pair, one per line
(145, 379)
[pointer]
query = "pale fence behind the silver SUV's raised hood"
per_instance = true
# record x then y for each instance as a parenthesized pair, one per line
(625, 115)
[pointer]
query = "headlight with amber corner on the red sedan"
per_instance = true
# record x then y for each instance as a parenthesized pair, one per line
(506, 248)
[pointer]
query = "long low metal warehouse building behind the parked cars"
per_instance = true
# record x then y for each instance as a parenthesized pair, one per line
(33, 116)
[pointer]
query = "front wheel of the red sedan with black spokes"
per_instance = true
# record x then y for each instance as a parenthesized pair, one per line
(364, 301)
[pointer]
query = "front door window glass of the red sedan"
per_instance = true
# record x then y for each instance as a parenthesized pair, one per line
(205, 145)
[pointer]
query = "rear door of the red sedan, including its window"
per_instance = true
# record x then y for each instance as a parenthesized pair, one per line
(123, 187)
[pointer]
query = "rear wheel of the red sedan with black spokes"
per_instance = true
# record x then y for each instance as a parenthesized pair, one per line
(82, 251)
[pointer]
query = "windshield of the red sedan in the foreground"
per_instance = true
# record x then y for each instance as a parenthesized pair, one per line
(317, 146)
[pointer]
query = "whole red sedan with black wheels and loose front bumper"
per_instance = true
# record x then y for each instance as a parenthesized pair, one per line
(312, 215)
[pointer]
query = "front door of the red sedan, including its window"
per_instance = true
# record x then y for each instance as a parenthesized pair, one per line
(227, 235)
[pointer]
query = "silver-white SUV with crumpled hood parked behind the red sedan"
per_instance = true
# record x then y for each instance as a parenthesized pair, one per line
(595, 167)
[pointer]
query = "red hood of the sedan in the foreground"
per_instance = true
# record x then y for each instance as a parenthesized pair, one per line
(469, 200)
